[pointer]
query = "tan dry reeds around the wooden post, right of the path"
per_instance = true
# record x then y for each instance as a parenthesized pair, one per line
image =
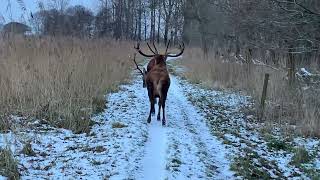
(285, 105)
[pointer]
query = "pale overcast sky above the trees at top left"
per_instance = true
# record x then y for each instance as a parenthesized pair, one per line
(16, 13)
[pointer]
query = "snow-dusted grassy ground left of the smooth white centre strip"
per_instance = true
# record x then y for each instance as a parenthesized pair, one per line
(105, 153)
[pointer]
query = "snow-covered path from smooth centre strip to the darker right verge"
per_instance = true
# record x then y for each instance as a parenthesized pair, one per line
(185, 148)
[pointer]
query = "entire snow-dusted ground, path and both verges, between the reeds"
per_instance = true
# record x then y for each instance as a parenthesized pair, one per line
(206, 134)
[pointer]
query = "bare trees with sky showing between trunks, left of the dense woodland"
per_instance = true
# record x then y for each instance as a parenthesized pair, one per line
(157, 20)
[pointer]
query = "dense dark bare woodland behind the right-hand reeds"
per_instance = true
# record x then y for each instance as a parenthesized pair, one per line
(250, 26)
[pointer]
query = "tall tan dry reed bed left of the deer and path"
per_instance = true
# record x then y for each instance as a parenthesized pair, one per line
(62, 80)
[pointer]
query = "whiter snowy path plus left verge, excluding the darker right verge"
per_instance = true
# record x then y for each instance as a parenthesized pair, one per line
(122, 145)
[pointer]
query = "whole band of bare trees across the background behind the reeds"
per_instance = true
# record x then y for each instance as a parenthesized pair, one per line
(267, 28)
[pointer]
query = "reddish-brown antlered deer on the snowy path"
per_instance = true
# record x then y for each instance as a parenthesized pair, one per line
(157, 79)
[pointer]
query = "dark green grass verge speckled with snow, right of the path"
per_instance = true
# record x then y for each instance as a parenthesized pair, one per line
(244, 137)
